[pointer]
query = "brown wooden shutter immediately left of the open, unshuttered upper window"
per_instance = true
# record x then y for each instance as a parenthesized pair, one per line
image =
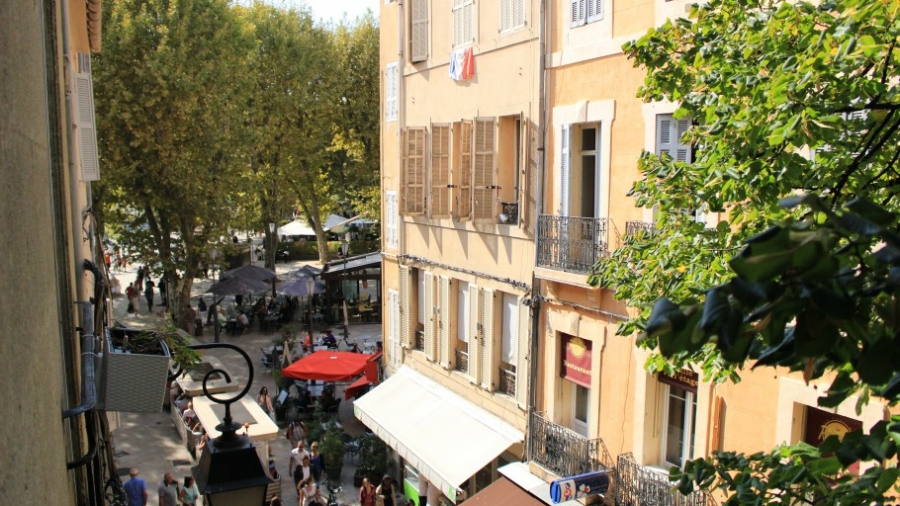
(484, 170)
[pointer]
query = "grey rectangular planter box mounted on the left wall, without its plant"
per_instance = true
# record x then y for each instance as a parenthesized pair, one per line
(133, 382)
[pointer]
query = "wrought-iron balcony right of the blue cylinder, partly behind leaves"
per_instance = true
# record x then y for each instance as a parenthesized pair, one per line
(637, 485)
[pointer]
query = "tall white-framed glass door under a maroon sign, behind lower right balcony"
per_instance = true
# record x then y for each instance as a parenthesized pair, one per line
(678, 425)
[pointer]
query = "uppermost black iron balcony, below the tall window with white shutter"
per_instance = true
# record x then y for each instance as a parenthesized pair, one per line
(570, 243)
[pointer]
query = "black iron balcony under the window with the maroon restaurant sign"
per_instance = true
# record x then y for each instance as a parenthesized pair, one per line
(563, 451)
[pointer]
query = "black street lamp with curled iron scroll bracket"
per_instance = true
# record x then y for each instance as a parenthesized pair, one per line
(229, 472)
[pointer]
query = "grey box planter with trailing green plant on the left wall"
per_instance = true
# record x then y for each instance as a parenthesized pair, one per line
(136, 367)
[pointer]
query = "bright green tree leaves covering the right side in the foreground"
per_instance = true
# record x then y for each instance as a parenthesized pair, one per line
(804, 274)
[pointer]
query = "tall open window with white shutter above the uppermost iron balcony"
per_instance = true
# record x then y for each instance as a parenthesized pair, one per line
(580, 167)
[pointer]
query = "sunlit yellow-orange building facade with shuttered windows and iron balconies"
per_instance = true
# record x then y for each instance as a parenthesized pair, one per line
(501, 189)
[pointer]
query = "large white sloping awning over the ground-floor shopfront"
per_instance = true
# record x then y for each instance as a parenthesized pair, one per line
(447, 438)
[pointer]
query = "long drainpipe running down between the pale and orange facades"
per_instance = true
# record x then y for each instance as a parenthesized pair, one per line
(535, 351)
